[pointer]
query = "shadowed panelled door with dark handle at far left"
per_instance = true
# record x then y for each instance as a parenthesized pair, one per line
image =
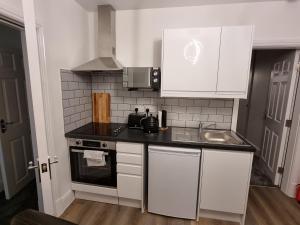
(15, 135)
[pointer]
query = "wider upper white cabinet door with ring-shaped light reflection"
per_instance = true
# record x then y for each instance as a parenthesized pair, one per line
(190, 61)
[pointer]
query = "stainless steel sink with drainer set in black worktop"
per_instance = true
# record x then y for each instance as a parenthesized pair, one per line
(206, 136)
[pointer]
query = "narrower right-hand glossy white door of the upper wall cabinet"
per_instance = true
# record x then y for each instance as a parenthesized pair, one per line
(235, 58)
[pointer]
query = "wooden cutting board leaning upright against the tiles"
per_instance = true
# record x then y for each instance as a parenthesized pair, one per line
(101, 107)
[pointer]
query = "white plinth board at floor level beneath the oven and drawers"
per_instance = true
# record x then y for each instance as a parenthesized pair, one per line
(107, 199)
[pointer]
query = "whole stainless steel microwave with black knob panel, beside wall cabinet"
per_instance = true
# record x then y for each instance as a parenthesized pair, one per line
(141, 77)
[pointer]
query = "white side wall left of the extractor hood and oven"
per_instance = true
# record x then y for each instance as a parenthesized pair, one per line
(66, 33)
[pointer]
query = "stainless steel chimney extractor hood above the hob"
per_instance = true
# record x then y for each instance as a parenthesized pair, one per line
(106, 60)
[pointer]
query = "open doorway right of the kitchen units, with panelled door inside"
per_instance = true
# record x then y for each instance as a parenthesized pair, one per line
(263, 115)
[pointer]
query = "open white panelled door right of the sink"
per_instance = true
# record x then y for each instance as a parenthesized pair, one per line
(273, 140)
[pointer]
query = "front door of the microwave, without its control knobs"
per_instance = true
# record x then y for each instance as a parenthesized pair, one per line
(139, 77)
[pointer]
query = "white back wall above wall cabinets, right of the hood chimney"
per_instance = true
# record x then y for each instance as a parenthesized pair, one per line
(139, 31)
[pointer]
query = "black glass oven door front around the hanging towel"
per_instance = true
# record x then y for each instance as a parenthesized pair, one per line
(98, 175)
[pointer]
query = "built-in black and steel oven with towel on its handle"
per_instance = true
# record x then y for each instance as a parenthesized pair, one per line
(82, 172)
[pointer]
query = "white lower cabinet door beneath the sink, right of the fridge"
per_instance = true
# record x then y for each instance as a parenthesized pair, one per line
(225, 180)
